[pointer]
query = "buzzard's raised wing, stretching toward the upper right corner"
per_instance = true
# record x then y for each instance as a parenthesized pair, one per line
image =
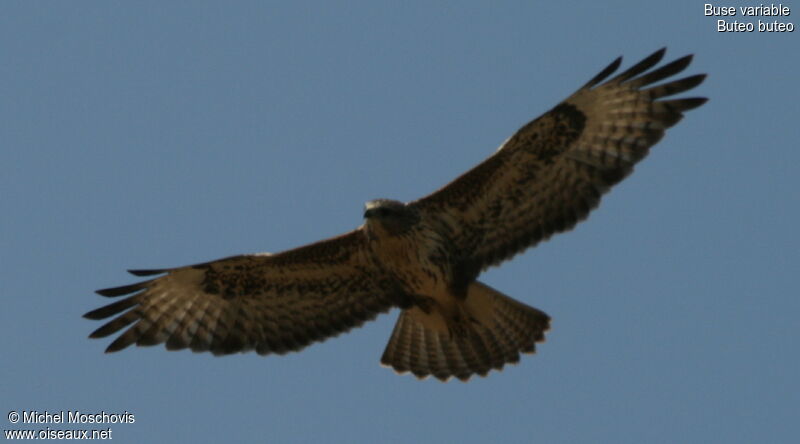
(550, 174)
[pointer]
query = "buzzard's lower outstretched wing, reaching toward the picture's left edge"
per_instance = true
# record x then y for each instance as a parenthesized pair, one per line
(267, 303)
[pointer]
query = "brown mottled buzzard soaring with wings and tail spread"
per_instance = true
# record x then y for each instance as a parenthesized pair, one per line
(422, 256)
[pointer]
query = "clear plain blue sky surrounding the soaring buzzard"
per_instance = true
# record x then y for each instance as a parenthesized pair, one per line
(156, 134)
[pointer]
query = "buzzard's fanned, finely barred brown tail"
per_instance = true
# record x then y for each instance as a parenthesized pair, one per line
(497, 329)
